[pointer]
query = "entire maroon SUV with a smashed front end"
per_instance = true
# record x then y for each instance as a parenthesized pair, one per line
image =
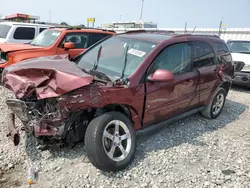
(118, 86)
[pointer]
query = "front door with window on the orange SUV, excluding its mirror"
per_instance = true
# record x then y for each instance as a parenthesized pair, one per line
(81, 41)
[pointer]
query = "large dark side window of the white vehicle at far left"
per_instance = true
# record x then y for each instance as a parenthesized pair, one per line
(24, 33)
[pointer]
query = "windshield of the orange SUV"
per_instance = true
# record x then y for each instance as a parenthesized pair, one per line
(46, 38)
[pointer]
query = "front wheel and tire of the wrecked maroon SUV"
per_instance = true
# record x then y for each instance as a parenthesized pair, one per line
(110, 141)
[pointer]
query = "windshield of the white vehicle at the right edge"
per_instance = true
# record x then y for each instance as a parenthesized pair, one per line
(239, 46)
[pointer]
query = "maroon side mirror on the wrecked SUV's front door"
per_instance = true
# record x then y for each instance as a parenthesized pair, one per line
(161, 75)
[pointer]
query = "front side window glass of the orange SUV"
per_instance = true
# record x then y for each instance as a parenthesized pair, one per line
(80, 40)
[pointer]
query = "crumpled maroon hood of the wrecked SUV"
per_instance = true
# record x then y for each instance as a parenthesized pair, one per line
(49, 76)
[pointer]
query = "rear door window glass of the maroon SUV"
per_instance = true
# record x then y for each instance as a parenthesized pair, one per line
(203, 54)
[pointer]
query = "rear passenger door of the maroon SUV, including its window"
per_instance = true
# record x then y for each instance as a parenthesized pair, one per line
(205, 62)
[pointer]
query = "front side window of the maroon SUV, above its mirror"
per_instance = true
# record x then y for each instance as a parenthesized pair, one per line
(176, 58)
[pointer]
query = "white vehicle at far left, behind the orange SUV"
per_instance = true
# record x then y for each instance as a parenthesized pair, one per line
(16, 32)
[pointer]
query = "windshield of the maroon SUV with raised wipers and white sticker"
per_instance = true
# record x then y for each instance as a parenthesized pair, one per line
(111, 56)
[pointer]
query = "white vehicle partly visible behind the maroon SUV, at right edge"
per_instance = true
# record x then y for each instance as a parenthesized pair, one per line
(240, 50)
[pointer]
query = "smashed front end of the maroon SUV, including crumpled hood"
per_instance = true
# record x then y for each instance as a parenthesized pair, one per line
(39, 91)
